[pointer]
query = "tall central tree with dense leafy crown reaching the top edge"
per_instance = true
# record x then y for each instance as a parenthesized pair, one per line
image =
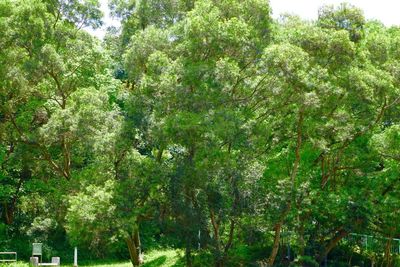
(192, 77)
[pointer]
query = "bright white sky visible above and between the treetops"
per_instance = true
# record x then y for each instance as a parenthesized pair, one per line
(387, 11)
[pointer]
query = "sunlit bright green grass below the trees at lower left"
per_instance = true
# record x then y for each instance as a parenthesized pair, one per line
(156, 258)
